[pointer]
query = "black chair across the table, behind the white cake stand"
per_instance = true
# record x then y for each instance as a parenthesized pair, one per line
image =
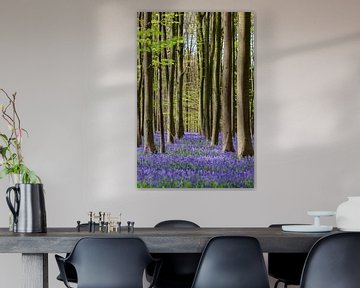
(285, 267)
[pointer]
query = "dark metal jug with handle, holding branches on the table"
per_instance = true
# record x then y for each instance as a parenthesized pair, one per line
(28, 208)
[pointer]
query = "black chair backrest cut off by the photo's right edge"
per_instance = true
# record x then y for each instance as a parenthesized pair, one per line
(333, 262)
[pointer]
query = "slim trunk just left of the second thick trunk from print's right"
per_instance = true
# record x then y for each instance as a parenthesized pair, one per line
(217, 89)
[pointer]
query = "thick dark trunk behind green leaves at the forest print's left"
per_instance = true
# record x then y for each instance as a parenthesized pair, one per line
(149, 144)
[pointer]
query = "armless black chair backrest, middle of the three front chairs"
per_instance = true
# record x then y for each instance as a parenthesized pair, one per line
(232, 262)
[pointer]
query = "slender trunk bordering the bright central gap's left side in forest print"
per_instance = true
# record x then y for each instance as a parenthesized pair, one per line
(181, 72)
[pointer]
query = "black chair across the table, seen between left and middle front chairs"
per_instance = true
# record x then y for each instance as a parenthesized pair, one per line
(178, 269)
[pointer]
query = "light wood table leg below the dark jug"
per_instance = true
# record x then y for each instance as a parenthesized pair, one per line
(35, 270)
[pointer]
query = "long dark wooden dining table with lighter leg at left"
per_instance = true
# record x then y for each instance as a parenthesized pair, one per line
(35, 247)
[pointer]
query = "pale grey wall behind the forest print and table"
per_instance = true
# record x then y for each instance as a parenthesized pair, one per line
(73, 66)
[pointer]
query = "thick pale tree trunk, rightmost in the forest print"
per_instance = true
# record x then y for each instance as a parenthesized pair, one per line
(245, 147)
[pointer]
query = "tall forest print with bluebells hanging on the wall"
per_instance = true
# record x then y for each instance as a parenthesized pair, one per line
(195, 100)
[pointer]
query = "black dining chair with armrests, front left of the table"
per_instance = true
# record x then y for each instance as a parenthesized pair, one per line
(108, 263)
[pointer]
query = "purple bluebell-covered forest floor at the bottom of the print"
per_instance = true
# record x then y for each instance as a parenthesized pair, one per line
(192, 162)
